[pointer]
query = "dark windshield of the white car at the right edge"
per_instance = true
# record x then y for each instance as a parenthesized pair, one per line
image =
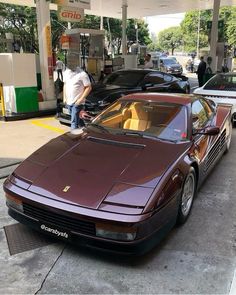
(222, 82)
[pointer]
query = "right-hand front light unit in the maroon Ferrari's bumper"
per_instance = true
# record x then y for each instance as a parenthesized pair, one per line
(115, 232)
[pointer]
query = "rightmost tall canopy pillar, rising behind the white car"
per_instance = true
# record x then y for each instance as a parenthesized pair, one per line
(214, 35)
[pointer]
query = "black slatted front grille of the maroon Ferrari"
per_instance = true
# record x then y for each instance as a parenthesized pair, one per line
(69, 223)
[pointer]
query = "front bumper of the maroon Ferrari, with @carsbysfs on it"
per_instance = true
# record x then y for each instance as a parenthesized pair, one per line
(78, 225)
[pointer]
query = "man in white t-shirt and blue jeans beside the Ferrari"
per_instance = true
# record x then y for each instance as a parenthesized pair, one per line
(77, 87)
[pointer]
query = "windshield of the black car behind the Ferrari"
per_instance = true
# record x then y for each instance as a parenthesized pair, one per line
(124, 79)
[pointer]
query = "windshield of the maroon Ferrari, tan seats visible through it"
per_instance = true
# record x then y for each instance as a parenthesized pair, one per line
(159, 120)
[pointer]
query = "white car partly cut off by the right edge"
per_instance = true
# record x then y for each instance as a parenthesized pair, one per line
(221, 88)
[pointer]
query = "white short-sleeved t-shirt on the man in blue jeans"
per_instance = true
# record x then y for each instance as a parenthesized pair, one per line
(74, 83)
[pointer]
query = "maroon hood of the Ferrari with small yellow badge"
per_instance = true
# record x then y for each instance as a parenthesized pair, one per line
(83, 172)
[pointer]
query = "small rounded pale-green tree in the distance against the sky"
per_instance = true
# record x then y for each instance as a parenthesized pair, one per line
(170, 39)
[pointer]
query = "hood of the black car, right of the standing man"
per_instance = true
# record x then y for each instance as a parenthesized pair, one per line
(101, 91)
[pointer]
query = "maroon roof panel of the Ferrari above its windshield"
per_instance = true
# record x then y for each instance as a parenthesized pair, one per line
(181, 99)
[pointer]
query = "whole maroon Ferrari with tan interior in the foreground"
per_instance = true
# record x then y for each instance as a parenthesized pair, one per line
(127, 178)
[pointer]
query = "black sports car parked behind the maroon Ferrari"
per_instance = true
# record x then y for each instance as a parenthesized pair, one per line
(124, 82)
